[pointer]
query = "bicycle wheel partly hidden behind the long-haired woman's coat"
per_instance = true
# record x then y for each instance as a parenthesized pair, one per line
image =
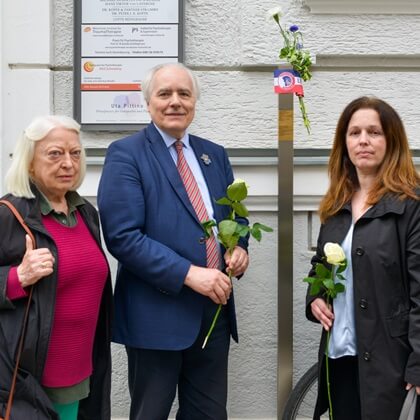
(301, 402)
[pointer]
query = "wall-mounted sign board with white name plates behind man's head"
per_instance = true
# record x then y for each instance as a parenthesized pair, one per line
(116, 43)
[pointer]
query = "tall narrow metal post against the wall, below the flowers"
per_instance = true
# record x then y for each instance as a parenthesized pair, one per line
(285, 251)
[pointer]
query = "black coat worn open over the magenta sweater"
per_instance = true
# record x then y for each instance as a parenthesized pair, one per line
(30, 401)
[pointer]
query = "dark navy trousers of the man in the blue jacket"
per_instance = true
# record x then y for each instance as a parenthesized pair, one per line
(200, 375)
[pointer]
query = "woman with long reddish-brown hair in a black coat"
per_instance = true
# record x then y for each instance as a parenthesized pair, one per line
(372, 209)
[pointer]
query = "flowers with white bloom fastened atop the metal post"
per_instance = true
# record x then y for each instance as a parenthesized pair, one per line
(293, 52)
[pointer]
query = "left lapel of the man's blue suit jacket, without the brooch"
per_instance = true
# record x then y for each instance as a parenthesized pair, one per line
(162, 155)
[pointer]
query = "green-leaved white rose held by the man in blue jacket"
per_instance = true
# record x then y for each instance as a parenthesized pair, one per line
(229, 230)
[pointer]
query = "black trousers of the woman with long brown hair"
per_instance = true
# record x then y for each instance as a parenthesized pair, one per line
(344, 380)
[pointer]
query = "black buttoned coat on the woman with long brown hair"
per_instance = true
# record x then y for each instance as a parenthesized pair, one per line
(386, 277)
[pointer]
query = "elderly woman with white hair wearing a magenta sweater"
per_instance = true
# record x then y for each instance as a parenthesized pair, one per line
(65, 366)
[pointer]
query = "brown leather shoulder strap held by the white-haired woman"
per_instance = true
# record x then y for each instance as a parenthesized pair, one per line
(12, 208)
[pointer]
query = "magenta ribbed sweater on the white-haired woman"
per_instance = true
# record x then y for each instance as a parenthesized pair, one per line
(81, 272)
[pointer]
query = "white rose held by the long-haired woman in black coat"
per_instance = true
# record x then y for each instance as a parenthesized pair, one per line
(324, 282)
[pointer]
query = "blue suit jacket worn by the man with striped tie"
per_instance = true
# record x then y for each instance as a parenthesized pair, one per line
(151, 228)
